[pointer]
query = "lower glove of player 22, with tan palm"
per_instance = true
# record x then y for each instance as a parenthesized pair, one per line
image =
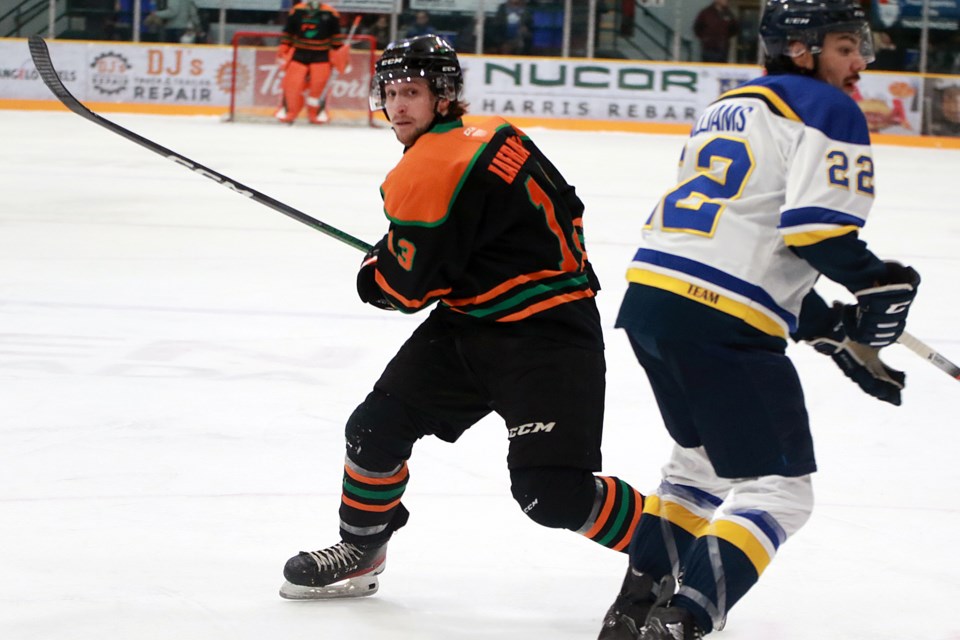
(861, 363)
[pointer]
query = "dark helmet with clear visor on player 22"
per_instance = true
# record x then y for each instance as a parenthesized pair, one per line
(808, 21)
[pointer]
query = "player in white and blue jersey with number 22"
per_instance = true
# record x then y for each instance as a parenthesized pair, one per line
(775, 182)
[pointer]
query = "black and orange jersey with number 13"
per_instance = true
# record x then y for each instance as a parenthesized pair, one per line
(482, 223)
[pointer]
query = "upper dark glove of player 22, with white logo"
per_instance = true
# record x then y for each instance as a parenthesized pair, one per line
(880, 314)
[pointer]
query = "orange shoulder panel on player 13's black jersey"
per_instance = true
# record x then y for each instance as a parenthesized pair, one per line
(422, 187)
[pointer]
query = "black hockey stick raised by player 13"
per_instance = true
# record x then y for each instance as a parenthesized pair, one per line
(41, 59)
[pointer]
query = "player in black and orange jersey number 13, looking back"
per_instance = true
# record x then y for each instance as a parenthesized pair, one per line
(483, 226)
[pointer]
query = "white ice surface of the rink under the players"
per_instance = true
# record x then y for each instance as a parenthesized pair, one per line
(177, 362)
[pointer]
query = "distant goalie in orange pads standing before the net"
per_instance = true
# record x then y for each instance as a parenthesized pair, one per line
(312, 40)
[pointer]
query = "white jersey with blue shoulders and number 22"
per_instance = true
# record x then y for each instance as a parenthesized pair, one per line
(781, 161)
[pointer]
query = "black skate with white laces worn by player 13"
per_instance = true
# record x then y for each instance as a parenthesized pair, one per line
(344, 570)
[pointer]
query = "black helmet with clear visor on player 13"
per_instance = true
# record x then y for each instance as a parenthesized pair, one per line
(429, 57)
